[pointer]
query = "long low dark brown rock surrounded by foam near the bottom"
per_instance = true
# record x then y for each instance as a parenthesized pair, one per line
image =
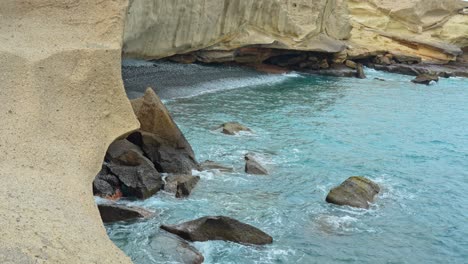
(219, 228)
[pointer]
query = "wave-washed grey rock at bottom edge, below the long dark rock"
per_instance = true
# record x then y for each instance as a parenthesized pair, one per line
(174, 250)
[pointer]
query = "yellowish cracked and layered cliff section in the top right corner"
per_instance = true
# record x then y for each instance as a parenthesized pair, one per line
(431, 29)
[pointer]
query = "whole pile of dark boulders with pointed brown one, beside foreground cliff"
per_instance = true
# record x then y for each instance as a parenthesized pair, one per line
(133, 166)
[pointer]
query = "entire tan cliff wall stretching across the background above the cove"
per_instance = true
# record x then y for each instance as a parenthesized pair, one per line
(431, 29)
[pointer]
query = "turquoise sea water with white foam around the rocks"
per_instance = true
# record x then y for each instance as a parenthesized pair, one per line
(313, 132)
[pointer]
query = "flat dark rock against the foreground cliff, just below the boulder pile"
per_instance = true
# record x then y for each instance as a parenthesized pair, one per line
(115, 212)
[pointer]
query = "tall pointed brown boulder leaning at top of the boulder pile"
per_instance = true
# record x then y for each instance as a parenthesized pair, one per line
(160, 137)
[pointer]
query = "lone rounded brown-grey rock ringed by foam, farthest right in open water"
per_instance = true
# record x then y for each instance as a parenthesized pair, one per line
(356, 191)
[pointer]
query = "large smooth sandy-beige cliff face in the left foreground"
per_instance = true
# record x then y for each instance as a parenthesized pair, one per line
(62, 104)
